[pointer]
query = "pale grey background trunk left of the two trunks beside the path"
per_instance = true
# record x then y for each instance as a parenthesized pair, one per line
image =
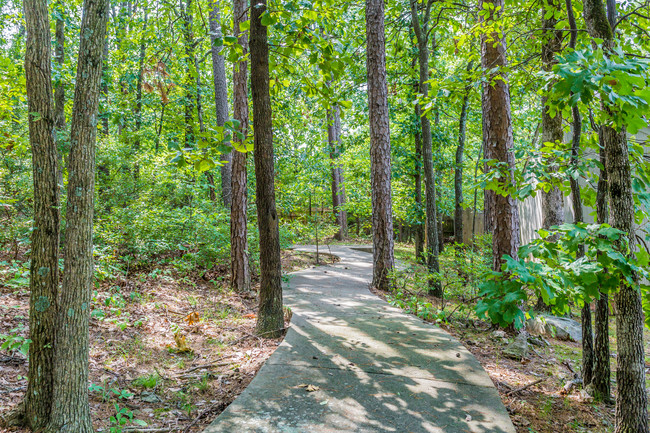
(221, 97)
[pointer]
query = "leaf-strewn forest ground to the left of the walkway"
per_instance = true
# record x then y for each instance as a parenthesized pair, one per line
(169, 348)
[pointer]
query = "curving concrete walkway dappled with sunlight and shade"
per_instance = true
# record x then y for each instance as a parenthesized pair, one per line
(376, 368)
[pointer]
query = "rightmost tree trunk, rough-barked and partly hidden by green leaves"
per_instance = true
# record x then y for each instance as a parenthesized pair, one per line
(631, 399)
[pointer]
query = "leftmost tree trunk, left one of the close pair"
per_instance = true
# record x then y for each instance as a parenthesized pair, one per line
(44, 269)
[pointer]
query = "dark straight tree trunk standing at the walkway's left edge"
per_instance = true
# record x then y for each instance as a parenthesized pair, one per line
(270, 318)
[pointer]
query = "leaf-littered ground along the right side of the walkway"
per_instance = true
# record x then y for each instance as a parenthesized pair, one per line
(543, 406)
